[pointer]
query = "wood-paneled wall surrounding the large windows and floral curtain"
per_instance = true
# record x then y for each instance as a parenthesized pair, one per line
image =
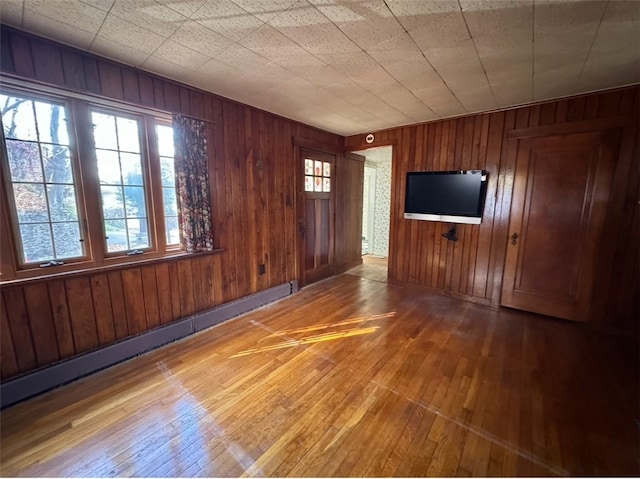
(251, 158)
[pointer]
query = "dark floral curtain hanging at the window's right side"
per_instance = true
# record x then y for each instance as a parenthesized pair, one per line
(192, 183)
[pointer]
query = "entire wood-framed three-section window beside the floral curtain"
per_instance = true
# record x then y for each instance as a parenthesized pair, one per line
(125, 205)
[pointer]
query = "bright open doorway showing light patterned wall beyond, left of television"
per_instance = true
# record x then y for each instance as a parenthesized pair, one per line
(376, 212)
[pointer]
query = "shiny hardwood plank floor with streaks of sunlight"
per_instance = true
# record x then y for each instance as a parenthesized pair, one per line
(349, 377)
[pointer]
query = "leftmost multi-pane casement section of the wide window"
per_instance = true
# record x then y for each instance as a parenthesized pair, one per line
(42, 180)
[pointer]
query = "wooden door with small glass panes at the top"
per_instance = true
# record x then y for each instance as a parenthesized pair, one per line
(316, 217)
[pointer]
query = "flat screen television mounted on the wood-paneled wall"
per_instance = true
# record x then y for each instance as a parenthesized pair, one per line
(450, 196)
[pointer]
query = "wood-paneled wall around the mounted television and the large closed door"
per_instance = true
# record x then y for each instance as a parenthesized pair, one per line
(472, 267)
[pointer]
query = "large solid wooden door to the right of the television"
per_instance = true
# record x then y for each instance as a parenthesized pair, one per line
(560, 197)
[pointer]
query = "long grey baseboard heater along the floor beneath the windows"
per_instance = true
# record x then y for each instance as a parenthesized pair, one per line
(61, 373)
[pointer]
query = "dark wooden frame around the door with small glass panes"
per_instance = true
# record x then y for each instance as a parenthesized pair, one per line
(299, 147)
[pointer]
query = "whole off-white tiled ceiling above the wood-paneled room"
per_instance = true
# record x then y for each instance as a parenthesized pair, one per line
(353, 66)
